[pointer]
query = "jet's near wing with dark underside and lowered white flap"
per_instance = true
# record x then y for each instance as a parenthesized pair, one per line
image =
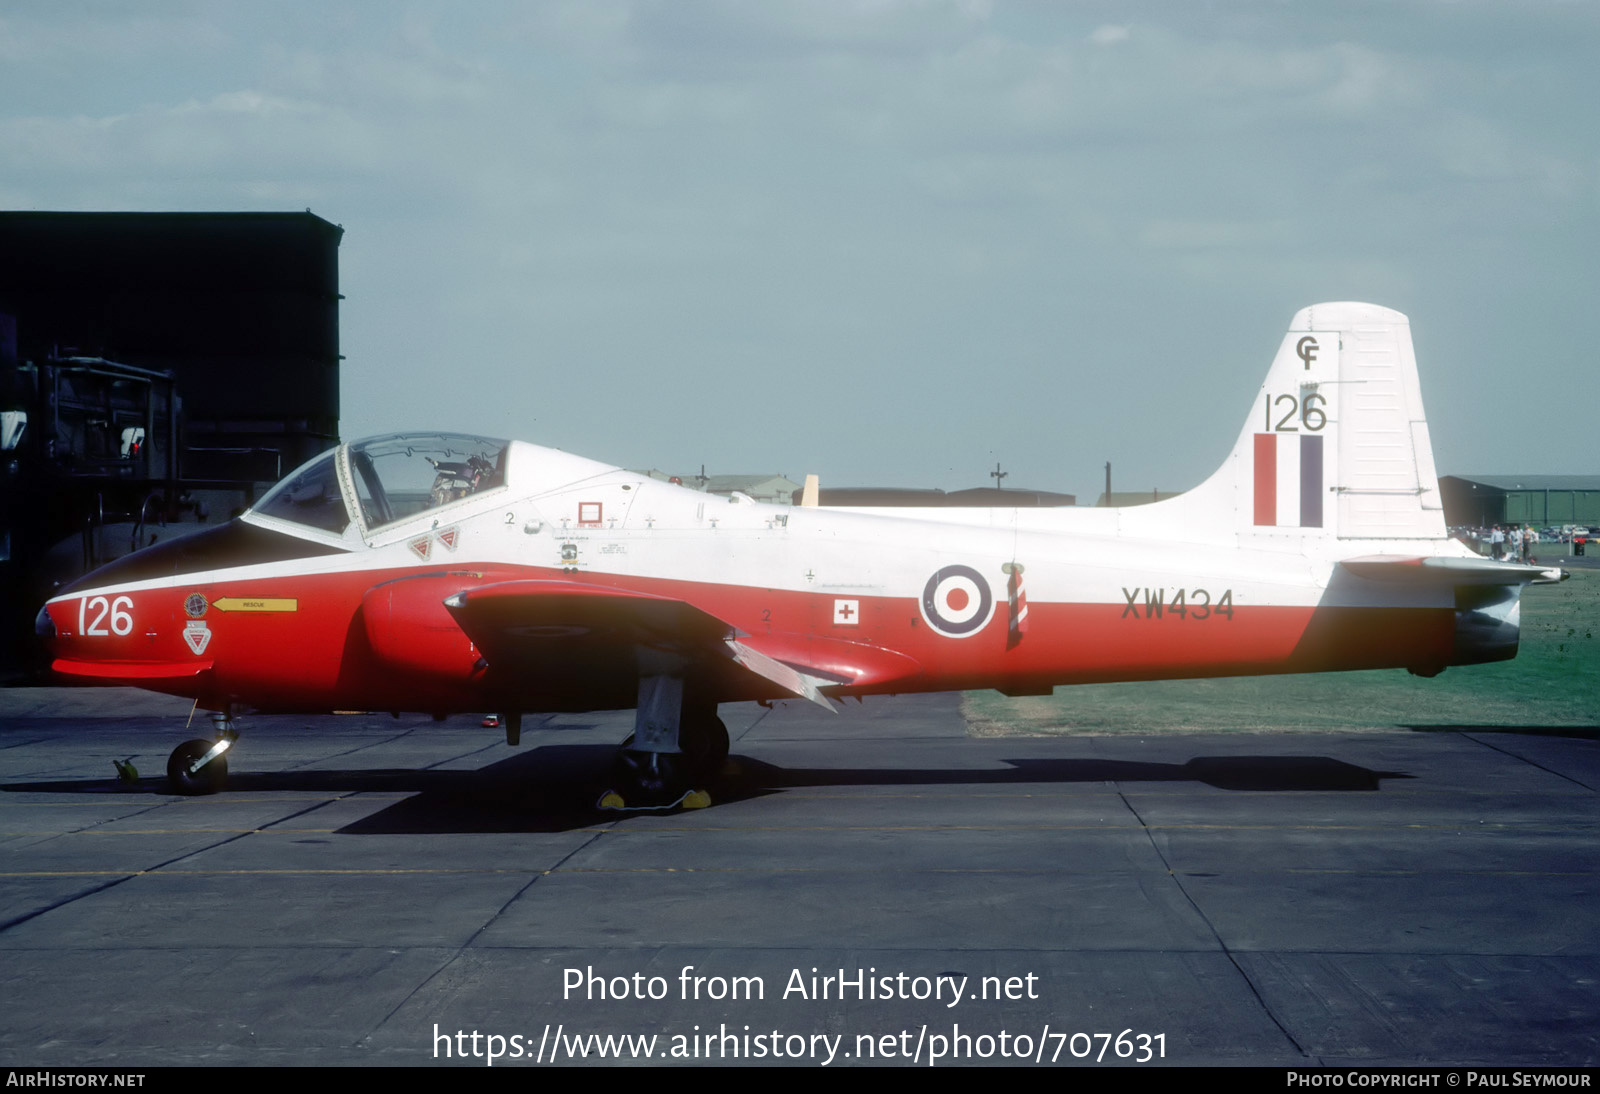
(567, 631)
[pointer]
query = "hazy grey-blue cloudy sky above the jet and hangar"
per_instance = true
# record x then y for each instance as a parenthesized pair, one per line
(886, 241)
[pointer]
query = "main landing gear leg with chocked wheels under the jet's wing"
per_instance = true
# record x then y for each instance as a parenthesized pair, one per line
(673, 753)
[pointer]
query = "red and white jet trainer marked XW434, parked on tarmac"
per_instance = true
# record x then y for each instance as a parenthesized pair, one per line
(449, 573)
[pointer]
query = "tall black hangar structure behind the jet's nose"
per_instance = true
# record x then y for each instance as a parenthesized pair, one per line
(158, 370)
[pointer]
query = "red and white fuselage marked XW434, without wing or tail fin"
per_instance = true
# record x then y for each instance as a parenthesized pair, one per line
(286, 615)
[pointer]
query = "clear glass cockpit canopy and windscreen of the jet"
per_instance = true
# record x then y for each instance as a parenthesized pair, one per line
(386, 481)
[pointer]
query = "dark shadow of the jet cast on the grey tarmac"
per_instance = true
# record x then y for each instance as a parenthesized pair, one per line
(556, 788)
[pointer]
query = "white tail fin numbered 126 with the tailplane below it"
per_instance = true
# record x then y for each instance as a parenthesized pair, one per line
(1335, 465)
